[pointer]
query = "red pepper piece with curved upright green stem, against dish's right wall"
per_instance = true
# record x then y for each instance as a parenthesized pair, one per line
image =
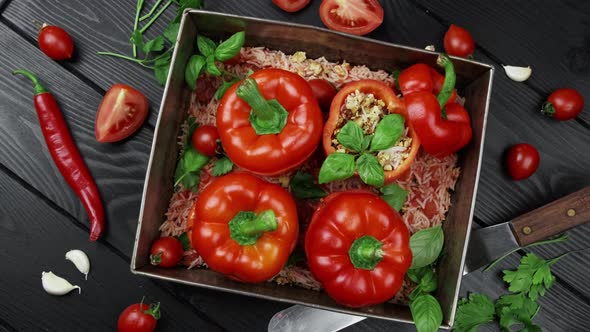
(444, 127)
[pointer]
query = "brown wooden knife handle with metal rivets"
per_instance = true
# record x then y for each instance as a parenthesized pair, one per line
(553, 218)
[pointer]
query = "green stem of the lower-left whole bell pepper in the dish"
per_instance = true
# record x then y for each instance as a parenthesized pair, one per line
(246, 227)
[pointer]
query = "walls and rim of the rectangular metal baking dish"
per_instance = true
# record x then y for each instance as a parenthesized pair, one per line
(474, 81)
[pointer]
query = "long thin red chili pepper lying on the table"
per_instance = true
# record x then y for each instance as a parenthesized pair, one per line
(65, 154)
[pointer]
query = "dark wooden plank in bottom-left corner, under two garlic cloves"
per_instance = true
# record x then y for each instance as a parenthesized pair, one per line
(26, 223)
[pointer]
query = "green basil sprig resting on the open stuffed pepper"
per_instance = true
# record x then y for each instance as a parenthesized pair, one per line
(340, 166)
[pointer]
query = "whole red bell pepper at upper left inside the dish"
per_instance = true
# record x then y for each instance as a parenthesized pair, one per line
(270, 123)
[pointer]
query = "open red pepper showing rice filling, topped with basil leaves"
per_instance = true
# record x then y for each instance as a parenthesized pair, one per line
(367, 120)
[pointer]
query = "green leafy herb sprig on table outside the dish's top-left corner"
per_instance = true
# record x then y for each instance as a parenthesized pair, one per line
(157, 52)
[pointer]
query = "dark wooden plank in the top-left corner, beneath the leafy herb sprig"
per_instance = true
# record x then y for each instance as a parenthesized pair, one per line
(96, 26)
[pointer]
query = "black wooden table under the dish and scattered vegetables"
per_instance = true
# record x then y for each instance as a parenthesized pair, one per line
(41, 219)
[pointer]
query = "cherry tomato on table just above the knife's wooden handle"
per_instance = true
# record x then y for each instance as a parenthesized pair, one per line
(522, 161)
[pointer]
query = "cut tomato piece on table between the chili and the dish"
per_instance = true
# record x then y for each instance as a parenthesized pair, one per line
(121, 112)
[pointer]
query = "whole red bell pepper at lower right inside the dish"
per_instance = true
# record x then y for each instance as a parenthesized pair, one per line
(358, 247)
